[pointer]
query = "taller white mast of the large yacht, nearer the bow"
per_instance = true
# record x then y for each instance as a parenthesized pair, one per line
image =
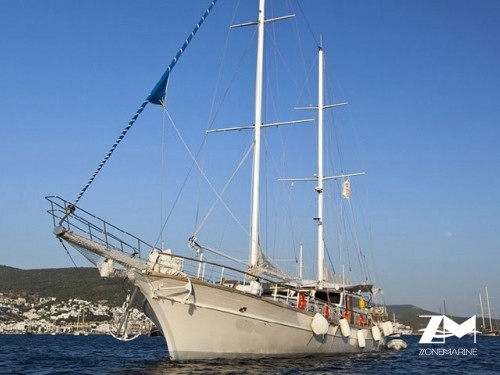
(254, 239)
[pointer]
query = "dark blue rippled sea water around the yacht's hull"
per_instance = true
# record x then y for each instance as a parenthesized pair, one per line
(98, 354)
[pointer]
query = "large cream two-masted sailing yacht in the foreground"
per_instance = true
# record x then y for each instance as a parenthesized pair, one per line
(211, 310)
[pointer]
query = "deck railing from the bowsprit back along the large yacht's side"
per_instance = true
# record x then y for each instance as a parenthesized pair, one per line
(104, 233)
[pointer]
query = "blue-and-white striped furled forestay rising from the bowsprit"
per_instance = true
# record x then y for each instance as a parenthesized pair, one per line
(157, 96)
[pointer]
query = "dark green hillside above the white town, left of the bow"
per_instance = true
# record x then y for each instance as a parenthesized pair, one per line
(62, 283)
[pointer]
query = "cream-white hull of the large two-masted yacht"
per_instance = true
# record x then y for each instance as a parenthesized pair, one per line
(220, 322)
